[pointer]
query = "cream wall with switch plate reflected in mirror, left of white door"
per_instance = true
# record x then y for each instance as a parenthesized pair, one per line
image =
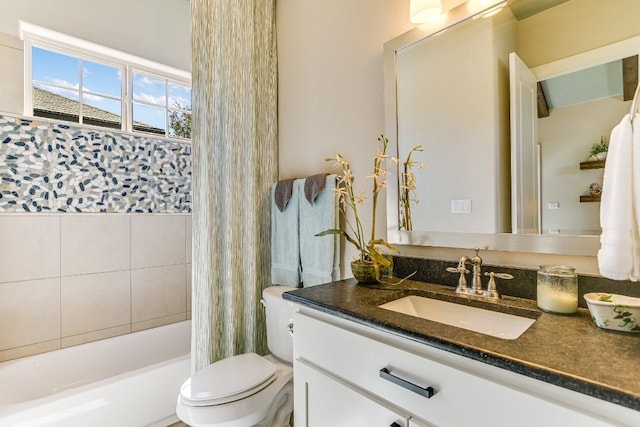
(464, 82)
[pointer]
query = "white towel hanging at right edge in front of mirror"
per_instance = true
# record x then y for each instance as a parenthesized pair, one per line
(617, 257)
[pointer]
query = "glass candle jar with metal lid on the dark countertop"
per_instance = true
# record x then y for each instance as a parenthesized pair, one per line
(557, 290)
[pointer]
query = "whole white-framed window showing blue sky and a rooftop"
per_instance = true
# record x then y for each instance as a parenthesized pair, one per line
(77, 81)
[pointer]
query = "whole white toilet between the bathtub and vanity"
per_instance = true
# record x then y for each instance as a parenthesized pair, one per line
(247, 389)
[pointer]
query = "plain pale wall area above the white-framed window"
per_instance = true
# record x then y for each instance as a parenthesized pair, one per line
(154, 29)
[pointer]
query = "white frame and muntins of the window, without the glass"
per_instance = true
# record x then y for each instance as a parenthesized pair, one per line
(35, 36)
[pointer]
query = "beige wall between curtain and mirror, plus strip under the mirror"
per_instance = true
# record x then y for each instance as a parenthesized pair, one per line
(331, 100)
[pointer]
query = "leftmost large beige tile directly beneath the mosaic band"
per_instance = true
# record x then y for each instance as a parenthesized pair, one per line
(29, 247)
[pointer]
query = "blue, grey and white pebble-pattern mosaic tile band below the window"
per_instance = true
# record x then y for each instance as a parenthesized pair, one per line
(54, 167)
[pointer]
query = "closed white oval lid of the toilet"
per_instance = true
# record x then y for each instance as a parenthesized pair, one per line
(229, 379)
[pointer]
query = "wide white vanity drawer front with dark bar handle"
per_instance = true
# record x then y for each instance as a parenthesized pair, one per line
(459, 398)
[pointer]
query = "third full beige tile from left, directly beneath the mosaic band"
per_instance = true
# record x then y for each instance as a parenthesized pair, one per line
(157, 240)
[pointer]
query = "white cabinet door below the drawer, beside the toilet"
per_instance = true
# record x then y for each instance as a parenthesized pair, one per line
(323, 401)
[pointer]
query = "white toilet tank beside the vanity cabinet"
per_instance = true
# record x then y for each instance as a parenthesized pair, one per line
(279, 313)
